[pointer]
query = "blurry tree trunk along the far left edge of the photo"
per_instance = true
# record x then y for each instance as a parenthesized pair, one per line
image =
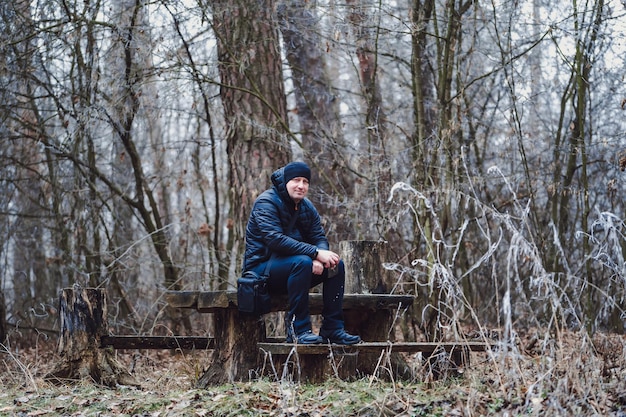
(38, 253)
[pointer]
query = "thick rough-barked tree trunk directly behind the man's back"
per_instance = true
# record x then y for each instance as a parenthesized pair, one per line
(253, 96)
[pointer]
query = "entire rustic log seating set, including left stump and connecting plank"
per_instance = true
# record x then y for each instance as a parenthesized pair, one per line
(240, 346)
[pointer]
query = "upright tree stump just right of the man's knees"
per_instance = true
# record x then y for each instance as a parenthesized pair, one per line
(365, 274)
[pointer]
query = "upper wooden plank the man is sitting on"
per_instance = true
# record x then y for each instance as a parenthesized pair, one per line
(209, 301)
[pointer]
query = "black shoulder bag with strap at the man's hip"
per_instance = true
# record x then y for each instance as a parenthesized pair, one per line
(253, 295)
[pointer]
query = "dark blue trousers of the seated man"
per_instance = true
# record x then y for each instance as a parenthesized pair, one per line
(293, 275)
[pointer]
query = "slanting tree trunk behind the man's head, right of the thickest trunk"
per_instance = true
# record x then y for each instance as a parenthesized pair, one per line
(323, 141)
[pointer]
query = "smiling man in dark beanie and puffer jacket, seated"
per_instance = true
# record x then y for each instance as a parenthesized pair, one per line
(285, 223)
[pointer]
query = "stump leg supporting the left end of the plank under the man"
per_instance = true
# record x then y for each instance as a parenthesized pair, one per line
(236, 354)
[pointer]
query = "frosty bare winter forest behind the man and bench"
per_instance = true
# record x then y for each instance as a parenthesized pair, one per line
(484, 140)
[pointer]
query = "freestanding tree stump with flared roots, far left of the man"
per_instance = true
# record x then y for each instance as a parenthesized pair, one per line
(83, 316)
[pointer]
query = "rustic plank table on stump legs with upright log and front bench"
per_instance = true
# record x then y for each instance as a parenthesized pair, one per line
(369, 309)
